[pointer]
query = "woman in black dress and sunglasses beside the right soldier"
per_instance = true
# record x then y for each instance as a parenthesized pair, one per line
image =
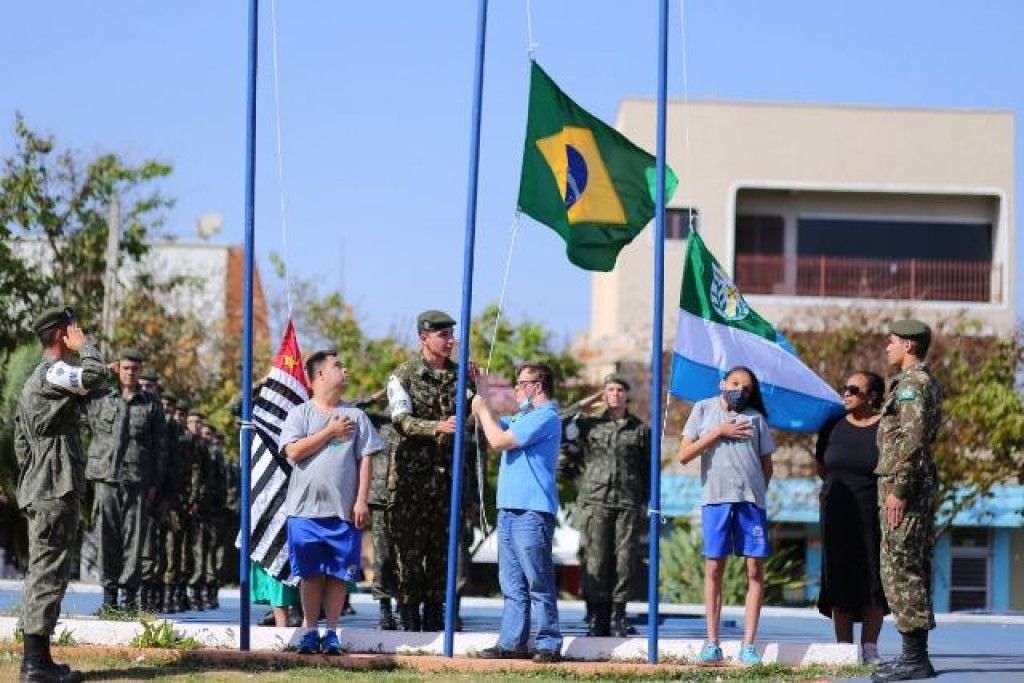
(847, 454)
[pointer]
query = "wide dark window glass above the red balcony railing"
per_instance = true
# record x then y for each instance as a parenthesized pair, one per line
(868, 238)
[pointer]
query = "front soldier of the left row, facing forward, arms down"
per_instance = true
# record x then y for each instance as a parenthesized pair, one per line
(127, 456)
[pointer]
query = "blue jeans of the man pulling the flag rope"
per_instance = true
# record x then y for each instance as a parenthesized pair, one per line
(527, 575)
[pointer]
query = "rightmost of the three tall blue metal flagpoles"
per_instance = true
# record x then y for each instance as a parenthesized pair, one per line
(655, 505)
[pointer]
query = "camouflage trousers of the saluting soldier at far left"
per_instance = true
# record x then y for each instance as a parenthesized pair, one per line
(53, 531)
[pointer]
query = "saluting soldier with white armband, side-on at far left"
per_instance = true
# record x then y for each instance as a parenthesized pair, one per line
(52, 481)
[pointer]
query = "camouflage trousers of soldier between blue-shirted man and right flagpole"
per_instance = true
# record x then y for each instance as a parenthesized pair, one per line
(612, 543)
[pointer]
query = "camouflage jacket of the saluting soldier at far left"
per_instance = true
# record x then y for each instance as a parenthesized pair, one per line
(48, 442)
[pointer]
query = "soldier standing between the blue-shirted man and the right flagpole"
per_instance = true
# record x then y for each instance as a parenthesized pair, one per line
(614, 488)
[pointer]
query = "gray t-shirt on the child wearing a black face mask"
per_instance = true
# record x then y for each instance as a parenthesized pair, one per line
(731, 469)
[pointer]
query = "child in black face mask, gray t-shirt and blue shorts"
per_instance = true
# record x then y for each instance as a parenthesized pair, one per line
(731, 435)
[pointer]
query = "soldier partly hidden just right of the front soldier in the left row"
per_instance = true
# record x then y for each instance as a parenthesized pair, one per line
(154, 563)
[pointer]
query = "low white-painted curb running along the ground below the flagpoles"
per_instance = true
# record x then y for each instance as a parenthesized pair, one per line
(97, 632)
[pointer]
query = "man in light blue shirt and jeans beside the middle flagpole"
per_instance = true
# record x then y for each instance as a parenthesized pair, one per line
(528, 502)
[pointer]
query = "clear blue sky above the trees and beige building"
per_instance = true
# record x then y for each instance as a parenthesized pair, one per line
(376, 112)
